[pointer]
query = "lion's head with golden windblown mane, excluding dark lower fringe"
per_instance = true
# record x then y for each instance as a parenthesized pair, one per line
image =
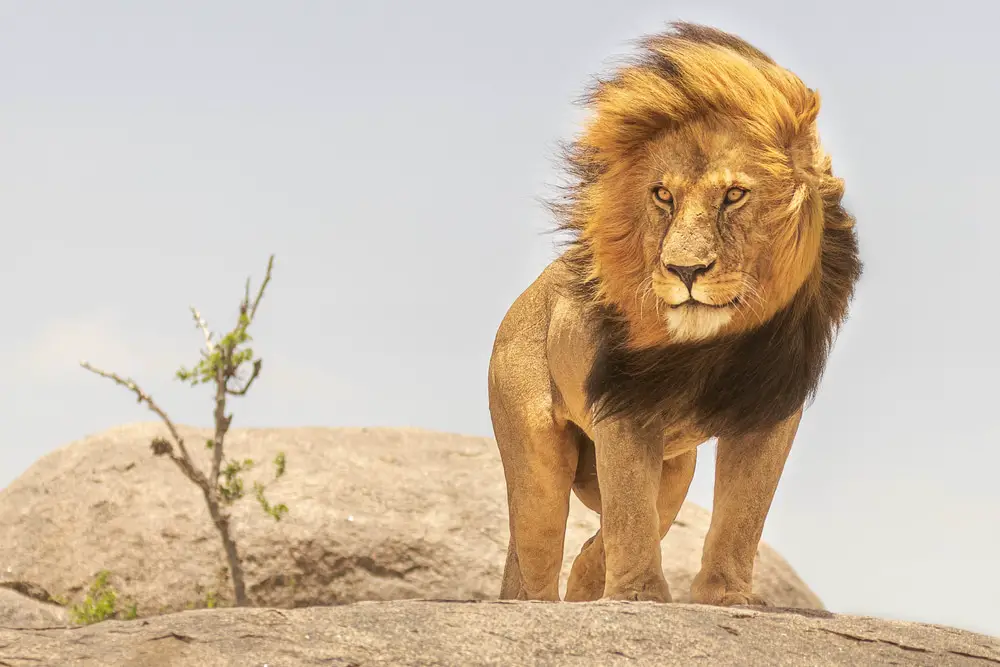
(701, 190)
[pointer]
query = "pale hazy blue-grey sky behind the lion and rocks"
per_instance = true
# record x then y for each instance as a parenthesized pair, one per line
(152, 154)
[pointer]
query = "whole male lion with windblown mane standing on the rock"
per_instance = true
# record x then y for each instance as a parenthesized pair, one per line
(710, 266)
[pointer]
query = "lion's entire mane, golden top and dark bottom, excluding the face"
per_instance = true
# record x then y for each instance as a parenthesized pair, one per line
(751, 378)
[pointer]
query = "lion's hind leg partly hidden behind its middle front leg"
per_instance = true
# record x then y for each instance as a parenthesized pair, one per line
(586, 579)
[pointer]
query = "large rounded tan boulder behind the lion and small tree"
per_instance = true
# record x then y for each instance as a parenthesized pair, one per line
(375, 514)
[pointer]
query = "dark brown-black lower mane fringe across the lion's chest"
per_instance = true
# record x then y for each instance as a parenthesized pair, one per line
(735, 384)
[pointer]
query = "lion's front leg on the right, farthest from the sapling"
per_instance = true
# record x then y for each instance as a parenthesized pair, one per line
(747, 472)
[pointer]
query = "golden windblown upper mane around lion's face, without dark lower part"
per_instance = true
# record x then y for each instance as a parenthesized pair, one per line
(686, 73)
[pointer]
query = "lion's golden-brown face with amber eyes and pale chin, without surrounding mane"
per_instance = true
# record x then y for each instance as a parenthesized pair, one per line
(714, 259)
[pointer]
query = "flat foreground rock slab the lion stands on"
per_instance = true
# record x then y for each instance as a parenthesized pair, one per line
(501, 633)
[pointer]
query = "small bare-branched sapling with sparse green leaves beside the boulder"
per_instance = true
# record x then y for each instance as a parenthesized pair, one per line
(223, 363)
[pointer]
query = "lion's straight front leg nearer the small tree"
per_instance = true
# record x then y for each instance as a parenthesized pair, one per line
(628, 467)
